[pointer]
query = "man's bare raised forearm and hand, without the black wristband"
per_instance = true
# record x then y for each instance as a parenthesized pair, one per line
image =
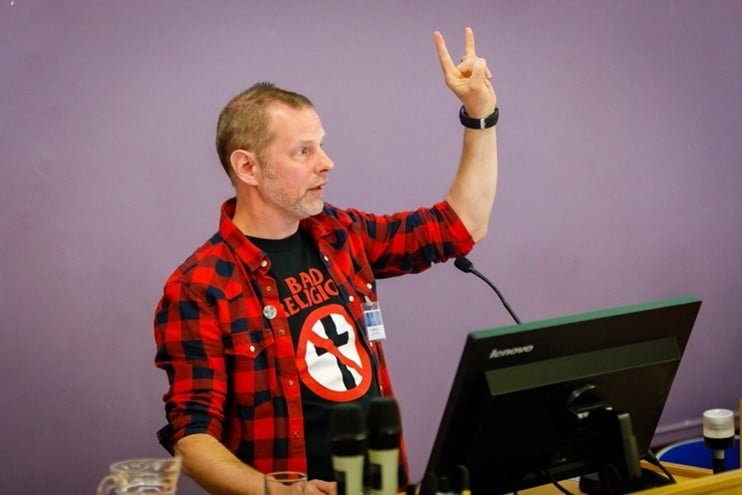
(472, 192)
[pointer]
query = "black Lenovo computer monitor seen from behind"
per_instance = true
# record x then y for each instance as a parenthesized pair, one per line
(561, 398)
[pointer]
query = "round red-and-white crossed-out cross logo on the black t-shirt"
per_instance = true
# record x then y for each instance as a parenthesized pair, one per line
(331, 359)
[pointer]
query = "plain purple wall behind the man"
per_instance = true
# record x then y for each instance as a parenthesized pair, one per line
(620, 176)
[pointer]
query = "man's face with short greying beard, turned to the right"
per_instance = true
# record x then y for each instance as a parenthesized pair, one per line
(293, 176)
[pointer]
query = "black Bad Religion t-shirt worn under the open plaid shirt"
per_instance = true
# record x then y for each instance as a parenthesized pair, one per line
(332, 355)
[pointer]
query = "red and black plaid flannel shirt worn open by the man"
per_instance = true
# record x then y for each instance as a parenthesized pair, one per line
(231, 369)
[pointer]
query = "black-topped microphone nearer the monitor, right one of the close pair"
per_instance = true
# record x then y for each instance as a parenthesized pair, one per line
(384, 434)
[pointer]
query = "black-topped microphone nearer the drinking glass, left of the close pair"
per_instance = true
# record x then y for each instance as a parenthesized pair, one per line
(348, 442)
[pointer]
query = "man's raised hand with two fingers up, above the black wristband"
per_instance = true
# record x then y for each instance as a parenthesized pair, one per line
(470, 79)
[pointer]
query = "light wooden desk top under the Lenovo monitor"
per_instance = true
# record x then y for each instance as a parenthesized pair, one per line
(690, 481)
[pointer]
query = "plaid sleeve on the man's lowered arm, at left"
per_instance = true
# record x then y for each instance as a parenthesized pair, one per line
(190, 350)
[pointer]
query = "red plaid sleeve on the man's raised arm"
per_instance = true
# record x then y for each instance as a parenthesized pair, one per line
(411, 241)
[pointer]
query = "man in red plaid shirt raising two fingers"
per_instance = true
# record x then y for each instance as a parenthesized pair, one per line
(263, 328)
